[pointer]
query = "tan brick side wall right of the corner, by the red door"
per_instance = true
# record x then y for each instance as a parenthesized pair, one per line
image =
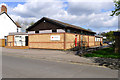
(83, 40)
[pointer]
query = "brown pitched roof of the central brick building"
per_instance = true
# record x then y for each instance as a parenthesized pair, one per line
(62, 24)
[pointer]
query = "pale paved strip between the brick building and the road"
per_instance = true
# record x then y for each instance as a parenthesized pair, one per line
(52, 55)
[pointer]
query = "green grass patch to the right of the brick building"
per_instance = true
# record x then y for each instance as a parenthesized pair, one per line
(105, 53)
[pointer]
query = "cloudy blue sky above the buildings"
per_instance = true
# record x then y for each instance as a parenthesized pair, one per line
(88, 14)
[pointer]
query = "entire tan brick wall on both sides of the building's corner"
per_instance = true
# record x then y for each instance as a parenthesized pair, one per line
(67, 41)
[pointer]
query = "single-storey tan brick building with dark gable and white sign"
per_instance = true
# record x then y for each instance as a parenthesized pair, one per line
(52, 34)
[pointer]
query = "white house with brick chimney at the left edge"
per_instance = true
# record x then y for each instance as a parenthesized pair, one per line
(7, 24)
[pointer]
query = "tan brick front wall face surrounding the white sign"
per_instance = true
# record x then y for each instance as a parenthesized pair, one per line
(44, 41)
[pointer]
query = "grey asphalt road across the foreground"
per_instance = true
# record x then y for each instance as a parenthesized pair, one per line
(18, 67)
